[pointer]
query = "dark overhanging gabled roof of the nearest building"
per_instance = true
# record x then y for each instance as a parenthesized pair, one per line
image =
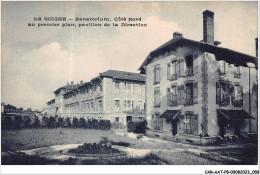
(231, 56)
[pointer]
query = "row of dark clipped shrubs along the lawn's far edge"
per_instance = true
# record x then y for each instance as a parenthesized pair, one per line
(19, 122)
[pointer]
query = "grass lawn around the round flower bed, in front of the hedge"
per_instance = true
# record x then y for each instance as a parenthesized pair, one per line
(35, 138)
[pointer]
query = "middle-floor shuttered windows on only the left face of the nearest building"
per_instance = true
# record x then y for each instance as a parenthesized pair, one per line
(186, 94)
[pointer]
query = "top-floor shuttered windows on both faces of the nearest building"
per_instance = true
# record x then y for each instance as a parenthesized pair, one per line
(185, 67)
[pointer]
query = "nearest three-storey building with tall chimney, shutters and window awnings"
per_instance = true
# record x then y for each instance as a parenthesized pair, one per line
(194, 90)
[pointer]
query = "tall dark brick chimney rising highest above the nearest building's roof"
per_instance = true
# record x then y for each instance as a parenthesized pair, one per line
(208, 27)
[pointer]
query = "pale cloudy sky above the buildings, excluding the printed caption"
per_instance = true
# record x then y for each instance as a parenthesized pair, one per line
(37, 61)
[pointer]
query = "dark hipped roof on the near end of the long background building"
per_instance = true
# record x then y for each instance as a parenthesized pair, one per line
(122, 75)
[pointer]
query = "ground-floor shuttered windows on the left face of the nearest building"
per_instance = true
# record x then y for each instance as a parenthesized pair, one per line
(188, 123)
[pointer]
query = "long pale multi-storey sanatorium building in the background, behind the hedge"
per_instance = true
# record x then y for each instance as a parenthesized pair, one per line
(113, 95)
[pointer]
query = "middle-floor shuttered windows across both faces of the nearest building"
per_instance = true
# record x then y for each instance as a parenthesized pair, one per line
(226, 94)
